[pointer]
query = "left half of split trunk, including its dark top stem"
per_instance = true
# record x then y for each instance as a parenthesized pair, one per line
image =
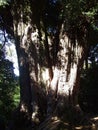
(27, 47)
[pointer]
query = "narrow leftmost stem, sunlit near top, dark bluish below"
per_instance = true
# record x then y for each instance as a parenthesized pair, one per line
(21, 35)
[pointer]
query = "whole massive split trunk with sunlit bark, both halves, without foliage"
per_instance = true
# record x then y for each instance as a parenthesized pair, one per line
(64, 67)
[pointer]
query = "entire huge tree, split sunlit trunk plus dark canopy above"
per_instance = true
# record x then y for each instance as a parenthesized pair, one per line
(60, 43)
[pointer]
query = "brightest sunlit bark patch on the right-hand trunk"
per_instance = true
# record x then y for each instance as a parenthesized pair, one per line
(67, 80)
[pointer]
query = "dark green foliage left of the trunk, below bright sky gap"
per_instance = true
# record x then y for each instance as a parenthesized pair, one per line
(9, 88)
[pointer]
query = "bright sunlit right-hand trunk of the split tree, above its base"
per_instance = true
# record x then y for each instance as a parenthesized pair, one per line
(64, 86)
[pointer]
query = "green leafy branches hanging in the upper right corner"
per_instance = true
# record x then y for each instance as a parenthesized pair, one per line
(72, 10)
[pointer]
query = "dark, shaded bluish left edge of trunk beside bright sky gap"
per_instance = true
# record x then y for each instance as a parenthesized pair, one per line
(24, 78)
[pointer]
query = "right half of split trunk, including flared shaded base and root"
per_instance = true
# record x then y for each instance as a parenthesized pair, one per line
(62, 98)
